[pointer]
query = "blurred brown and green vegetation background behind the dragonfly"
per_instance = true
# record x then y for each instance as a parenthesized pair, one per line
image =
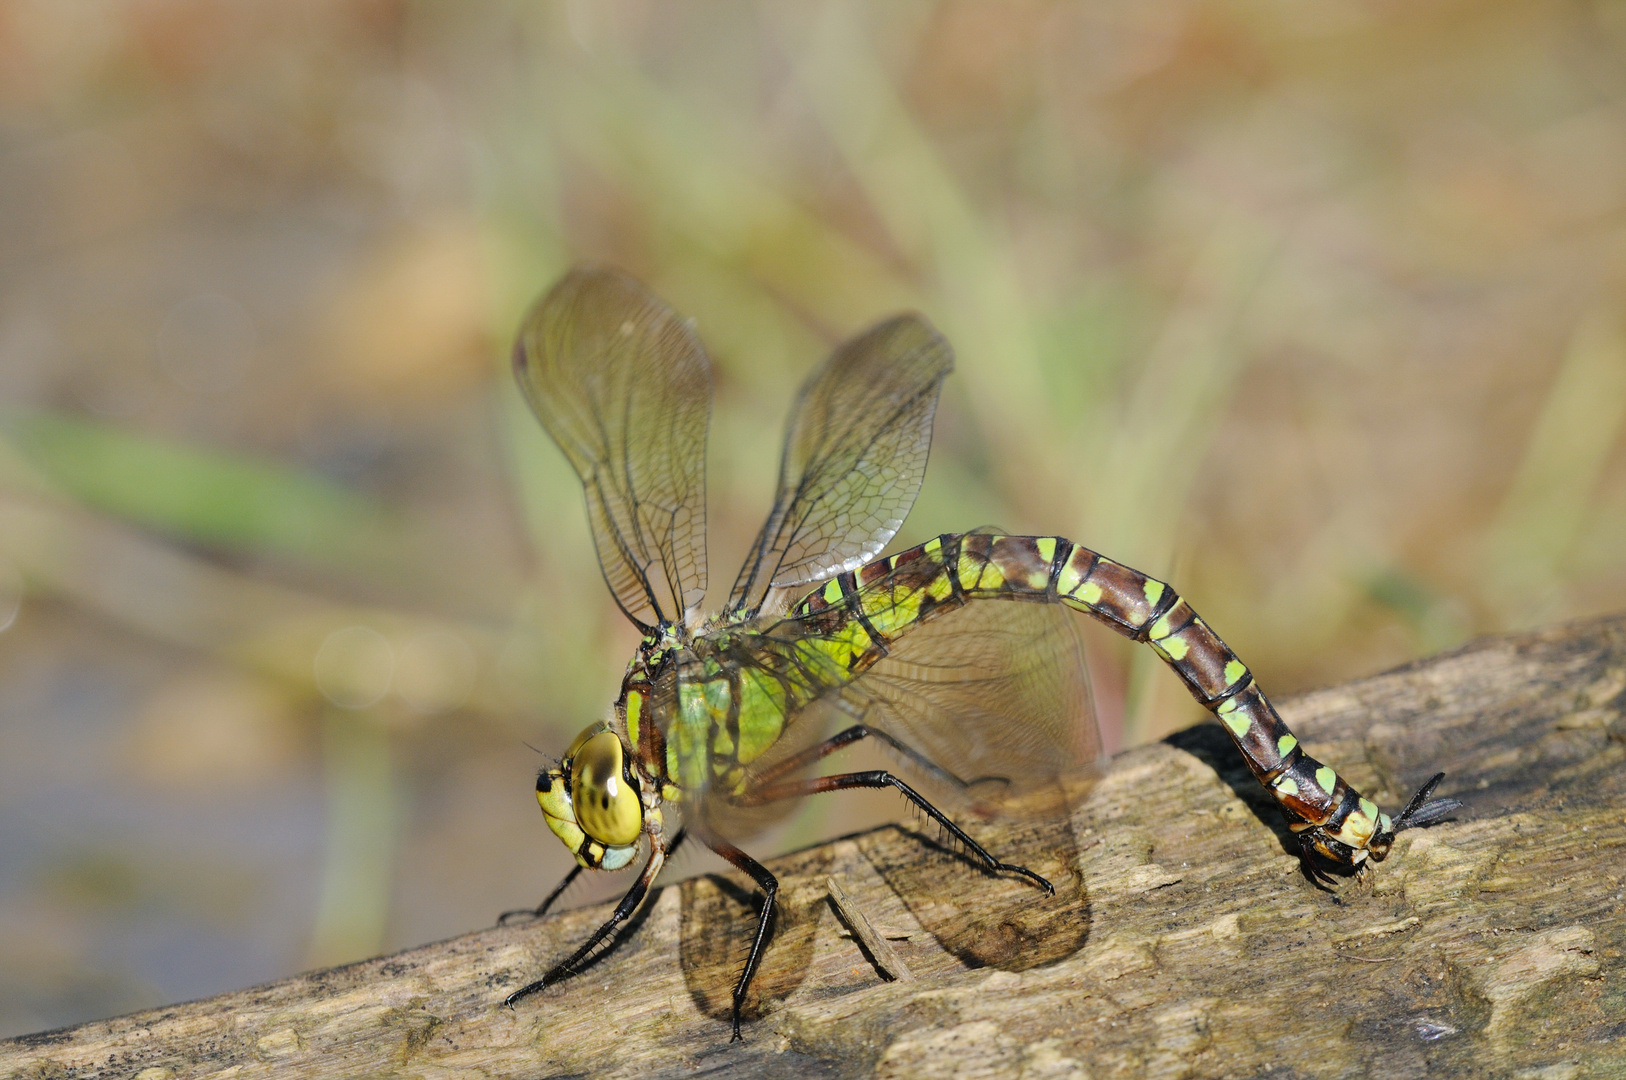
(1315, 310)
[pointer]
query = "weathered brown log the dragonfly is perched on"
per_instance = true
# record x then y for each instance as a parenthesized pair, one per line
(1489, 947)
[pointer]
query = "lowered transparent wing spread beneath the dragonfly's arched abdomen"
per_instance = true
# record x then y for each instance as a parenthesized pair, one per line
(985, 703)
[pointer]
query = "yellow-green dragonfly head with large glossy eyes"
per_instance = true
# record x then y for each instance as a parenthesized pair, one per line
(593, 801)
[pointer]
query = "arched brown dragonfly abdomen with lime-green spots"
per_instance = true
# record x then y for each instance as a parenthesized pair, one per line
(867, 609)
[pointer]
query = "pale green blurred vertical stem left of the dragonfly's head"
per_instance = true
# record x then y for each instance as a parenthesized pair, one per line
(362, 827)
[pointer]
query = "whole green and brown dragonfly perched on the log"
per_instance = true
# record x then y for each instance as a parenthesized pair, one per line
(957, 656)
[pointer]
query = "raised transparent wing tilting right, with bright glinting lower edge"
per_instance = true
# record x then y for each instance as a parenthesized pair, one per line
(854, 458)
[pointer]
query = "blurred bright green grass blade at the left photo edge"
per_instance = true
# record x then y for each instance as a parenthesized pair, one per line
(202, 495)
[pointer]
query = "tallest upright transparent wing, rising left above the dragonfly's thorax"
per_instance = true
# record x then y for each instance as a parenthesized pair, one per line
(625, 390)
